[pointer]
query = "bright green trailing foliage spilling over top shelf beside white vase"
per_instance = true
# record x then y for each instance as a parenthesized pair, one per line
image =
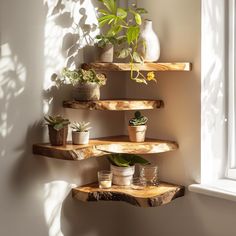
(125, 26)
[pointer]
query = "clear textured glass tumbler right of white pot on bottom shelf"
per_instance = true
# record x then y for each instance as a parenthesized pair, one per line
(150, 174)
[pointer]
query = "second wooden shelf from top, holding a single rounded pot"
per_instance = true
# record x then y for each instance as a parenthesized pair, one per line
(115, 105)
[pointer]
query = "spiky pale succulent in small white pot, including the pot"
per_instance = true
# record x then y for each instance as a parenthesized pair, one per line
(80, 132)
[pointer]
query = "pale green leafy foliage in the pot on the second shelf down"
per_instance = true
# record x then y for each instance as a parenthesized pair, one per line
(79, 76)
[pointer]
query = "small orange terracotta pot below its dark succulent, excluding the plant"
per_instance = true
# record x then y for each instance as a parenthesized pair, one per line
(137, 133)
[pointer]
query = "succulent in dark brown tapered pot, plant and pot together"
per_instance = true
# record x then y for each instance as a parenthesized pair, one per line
(58, 129)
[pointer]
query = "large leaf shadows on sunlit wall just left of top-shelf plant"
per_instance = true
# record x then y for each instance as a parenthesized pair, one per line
(77, 45)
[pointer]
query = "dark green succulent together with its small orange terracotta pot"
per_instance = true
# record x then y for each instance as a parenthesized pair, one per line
(137, 127)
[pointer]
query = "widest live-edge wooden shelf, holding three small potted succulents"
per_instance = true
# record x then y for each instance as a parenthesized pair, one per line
(103, 146)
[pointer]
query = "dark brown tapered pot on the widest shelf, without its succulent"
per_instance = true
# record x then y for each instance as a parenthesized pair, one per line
(58, 137)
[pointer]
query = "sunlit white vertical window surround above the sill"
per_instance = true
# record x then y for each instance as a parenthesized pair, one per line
(213, 89)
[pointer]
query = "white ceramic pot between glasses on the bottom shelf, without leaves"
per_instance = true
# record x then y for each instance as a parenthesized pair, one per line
(122, 175)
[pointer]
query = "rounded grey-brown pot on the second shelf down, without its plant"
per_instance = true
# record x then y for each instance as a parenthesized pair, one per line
(86, 92)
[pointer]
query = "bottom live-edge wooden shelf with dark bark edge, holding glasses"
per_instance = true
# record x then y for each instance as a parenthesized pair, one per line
(151, 196)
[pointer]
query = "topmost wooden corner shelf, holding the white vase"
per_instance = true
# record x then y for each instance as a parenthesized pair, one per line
(175, 66)
